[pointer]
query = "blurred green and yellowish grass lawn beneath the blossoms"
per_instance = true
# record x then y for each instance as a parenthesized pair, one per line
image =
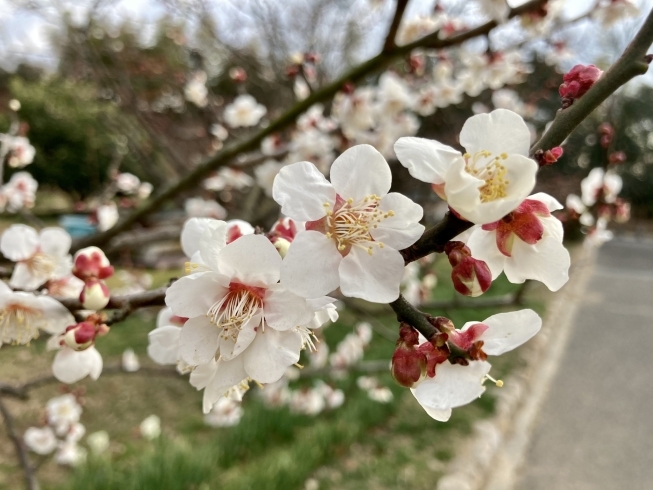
(363, 444)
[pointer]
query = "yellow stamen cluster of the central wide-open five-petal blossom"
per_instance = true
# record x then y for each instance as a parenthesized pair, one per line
(349, 223)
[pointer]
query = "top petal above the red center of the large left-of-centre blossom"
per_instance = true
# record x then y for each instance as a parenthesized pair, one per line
(251, 260)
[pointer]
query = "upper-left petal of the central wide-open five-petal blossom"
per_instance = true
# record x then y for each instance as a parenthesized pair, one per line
(301, 190)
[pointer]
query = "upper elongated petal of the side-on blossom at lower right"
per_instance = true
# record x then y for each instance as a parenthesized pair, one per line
(507, 331)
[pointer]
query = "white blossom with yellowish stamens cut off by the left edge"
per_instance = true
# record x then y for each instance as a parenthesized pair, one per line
(23, 314)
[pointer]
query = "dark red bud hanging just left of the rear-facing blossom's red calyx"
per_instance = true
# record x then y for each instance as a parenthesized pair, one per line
(471, 277)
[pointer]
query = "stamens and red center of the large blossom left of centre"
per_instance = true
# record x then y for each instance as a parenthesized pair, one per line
(235, 309)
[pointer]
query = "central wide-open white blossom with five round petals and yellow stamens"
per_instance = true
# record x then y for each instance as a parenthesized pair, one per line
(354, 228)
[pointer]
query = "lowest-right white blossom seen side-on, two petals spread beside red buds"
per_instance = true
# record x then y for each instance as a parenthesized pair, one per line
(455, 385)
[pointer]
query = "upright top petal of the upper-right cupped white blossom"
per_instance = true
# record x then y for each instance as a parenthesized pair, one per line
(501, 131)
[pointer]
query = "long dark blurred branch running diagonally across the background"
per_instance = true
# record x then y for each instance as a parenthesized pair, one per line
(226, 155)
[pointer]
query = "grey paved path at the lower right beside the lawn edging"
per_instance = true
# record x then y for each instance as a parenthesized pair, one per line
(595, 429)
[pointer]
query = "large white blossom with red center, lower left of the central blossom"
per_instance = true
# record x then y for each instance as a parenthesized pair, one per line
(241, 322)
